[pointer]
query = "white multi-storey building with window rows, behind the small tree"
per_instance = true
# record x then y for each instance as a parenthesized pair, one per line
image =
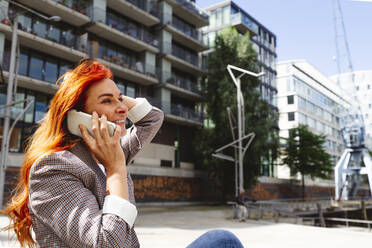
(306, 96)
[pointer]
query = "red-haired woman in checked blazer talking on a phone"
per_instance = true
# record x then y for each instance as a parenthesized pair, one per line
(76, 192)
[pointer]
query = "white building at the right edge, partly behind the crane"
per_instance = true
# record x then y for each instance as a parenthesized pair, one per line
(363, 88)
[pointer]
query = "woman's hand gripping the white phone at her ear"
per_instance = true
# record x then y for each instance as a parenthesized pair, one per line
(106, 149)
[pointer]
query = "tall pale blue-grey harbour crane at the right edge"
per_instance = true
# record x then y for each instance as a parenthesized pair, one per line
(348, 170)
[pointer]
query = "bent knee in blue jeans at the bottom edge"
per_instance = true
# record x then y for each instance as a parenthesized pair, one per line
(216, 239)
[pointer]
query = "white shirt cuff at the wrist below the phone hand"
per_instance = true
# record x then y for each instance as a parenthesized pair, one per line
(120, 207)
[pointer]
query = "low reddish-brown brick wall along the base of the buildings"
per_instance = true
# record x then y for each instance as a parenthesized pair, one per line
(168, 189)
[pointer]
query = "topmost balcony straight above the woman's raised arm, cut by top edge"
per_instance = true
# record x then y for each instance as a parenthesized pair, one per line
(136, 10)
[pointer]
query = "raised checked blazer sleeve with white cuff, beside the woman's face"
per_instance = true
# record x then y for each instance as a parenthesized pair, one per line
(147, 121)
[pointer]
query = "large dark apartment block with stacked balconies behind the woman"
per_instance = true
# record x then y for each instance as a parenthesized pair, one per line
(152, 49)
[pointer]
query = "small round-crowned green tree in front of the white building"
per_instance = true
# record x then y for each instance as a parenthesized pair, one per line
(305, 154)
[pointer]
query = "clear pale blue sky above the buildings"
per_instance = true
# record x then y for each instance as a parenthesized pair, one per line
(305, 29)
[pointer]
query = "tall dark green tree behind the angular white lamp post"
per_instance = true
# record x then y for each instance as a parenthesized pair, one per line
(260, 118)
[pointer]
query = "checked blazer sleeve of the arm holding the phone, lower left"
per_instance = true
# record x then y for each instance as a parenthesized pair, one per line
(60, 200)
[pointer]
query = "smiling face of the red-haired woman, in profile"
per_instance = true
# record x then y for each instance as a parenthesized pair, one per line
(105, 98)
